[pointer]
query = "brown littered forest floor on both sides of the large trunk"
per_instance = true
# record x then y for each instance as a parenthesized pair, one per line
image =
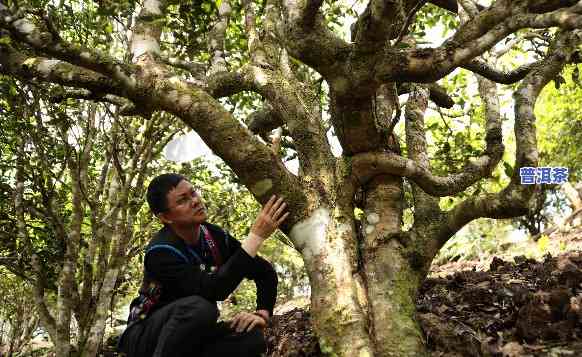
(514, 306)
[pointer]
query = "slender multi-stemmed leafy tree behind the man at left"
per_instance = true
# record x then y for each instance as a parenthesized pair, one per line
(77, 189)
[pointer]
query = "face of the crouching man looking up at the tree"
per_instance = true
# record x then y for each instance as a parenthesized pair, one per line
(185, 206)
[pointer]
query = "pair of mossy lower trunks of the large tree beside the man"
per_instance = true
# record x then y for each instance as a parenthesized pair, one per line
(362, 299)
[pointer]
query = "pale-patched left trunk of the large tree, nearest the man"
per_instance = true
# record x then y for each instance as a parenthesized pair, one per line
(327, 242)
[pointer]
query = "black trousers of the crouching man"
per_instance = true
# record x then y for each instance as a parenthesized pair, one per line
(188, 328)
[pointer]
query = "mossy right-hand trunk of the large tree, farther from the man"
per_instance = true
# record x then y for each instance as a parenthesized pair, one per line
(391, 281)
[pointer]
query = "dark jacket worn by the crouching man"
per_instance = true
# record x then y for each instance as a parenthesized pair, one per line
(180, 273)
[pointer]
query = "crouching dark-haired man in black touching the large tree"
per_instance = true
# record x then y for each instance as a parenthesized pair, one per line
(188, 266)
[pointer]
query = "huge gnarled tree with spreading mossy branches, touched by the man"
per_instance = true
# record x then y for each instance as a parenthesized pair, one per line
(185, 58)
